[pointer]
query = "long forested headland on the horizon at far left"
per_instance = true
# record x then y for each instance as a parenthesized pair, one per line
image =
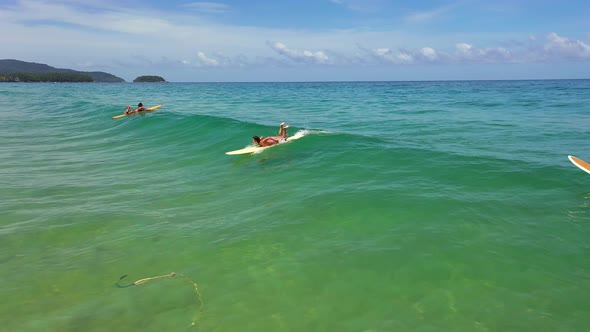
(21, 71)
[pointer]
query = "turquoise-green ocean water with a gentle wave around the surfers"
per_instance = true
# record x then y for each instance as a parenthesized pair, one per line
(407, 206)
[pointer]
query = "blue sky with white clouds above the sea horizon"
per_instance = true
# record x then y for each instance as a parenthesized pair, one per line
(303, 40)
